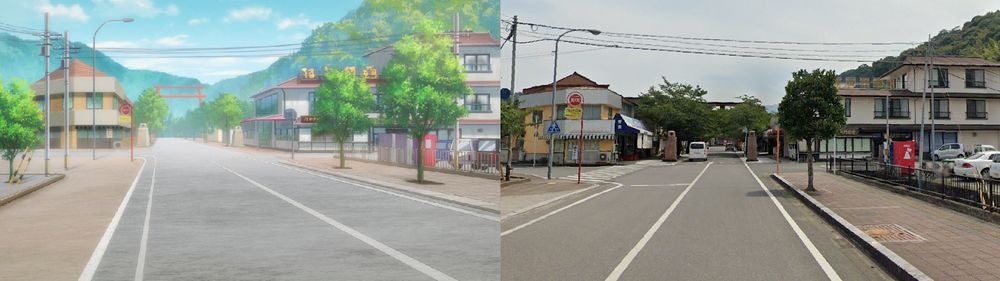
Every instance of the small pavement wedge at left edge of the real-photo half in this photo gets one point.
(522, 197)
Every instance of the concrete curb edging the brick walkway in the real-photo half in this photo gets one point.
(898, 267)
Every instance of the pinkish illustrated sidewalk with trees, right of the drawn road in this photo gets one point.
(474, 192)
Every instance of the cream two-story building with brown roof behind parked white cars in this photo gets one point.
(964, 90)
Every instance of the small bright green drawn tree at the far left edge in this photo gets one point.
(20, 120)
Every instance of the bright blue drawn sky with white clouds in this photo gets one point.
(182, 24)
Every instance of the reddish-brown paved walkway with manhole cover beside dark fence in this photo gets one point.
(946, 245)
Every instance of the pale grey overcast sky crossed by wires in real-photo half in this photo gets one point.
(631, 72)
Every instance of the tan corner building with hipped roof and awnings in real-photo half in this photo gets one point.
(603, 139)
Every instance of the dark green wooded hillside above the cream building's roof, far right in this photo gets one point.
(976, 38)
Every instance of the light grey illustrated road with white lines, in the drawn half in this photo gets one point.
(206, 213)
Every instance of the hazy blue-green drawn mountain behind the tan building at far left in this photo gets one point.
(21, 60)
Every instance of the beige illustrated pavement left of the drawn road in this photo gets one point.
(51, 233)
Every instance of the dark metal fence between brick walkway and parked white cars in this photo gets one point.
(972, 191)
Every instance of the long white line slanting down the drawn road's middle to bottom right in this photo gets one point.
(415, 264)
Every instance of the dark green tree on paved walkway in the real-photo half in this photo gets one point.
(811, 110)
